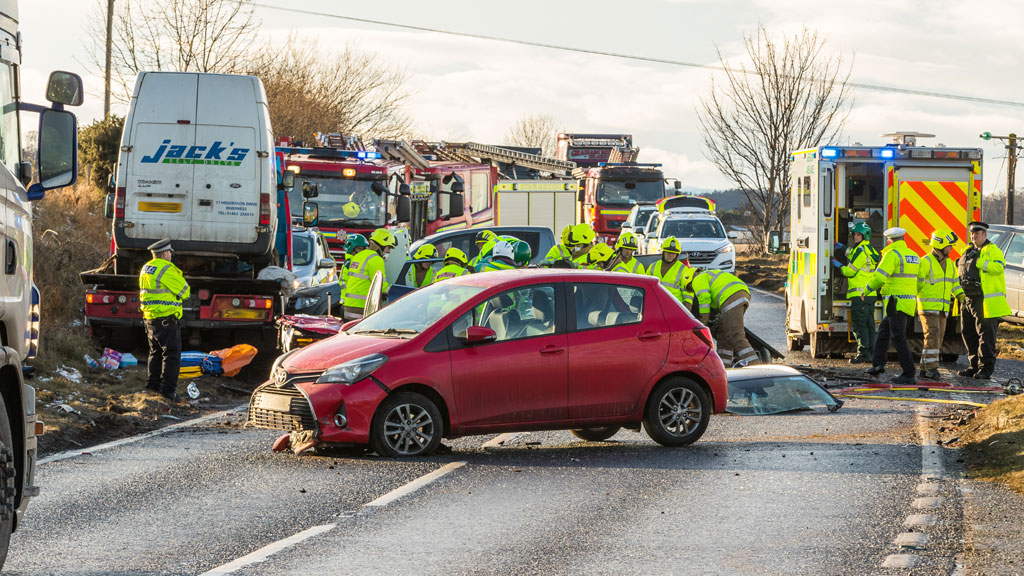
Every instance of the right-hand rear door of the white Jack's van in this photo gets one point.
(226, 207)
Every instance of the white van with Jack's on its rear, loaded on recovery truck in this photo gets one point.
(196, 167)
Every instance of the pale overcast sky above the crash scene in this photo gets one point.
(474, 90)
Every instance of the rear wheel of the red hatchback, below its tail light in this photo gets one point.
(674, 399)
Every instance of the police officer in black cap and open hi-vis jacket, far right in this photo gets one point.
(985, 284)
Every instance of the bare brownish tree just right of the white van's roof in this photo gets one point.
(351, 92)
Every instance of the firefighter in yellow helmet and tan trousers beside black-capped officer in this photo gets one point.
(937, 286)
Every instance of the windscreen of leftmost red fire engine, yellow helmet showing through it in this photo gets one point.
(342, 202)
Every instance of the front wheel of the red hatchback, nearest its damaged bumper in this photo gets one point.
(407, 425)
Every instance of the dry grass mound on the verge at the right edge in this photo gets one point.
(995, 449)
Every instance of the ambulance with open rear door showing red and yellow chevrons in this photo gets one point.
(903, 184)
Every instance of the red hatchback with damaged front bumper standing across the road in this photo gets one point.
(530, 350)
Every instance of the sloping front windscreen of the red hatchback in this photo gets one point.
(418, 311)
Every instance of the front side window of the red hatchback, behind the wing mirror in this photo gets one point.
(522, 313)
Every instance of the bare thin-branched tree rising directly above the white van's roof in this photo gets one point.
(175, 35)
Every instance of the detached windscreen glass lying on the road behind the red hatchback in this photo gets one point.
(776, 395)
